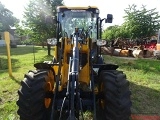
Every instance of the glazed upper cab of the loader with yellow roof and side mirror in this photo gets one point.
(85, 19)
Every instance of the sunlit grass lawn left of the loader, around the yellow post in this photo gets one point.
(22, 60)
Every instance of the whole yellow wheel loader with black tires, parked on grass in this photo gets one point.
(77, 79)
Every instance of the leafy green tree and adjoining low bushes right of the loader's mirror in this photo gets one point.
(140, 24)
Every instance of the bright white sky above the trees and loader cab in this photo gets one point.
(115, 7)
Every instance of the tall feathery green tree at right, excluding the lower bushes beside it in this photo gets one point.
(141, 23)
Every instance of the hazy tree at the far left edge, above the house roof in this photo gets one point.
(7, 20)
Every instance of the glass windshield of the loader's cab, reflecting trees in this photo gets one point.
(81, 19)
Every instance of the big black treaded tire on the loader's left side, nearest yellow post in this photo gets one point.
(32, 96)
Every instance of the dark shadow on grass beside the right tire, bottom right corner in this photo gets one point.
(145, 100)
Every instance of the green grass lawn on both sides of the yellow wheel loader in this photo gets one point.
(143, 75)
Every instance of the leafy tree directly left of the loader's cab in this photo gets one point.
(36, 19)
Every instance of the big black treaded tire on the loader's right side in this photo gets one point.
(115, 89)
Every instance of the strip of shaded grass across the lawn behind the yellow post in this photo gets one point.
(20, 50)
